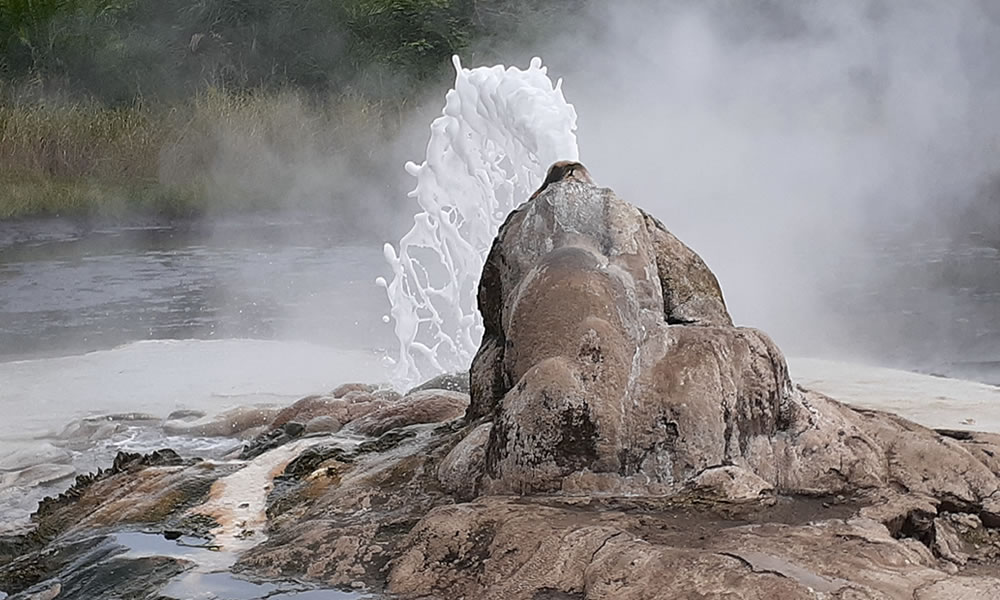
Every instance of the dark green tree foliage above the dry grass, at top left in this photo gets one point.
(120, 50)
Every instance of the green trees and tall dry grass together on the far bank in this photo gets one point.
(179, 107)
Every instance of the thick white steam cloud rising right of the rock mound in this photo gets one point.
(813, 153)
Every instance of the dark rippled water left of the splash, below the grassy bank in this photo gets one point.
(64, 290)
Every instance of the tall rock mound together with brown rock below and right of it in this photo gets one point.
(610, 368)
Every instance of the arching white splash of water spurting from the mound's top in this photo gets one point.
(499, 131)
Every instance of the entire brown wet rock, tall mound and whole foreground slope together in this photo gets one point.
(619, 439)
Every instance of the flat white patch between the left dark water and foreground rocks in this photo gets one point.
(157, 377)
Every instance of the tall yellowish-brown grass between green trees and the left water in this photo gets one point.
(217, 152)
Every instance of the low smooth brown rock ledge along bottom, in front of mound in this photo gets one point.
(507, 548)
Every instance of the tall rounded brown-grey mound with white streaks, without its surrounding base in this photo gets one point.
(610, 364)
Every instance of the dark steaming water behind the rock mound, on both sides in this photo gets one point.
(931, 305)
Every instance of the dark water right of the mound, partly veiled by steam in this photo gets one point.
(931, 304)
